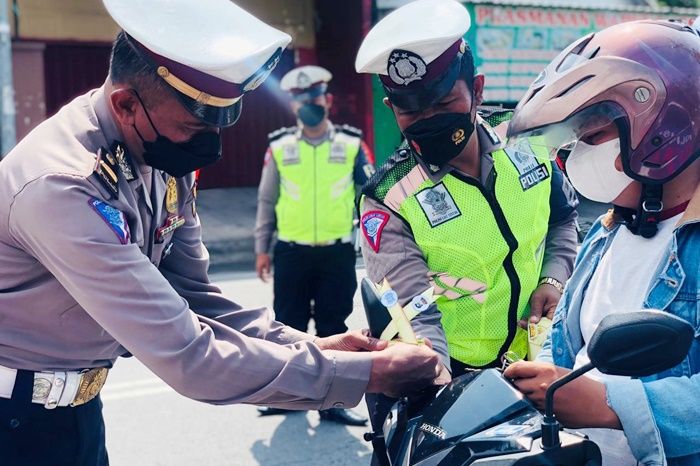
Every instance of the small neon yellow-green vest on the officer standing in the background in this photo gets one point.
(317, 190)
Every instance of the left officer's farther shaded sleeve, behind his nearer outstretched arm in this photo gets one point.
(185, 268)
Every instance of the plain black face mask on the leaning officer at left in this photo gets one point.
(179, 159)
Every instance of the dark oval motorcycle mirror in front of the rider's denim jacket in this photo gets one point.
(637, 344)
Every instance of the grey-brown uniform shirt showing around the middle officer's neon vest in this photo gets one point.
(402, 263)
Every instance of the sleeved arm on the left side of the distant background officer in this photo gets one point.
(268, 194)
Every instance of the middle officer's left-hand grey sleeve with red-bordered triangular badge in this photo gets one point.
(390, 252)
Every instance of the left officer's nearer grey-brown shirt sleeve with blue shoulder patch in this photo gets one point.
(125, 295)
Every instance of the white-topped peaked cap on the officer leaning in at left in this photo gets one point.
(210, 51)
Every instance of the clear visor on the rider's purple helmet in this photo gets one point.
(547, 141)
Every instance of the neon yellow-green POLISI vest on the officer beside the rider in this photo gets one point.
(483, 247)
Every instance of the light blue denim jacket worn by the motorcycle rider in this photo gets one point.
(660, 414)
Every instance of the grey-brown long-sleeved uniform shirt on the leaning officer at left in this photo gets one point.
(77, 291)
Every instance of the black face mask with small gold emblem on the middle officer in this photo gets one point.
(440, 138)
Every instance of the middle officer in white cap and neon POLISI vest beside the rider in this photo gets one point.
(492, 230)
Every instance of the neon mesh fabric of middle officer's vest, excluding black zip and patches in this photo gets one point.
(473, 247)
